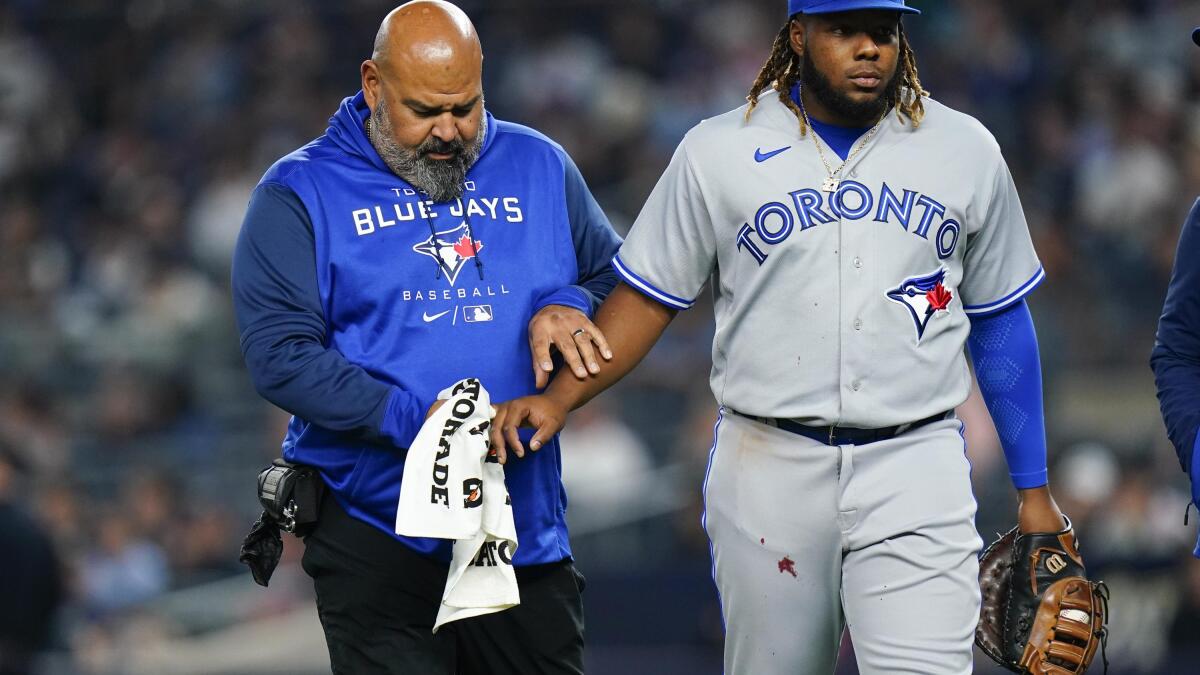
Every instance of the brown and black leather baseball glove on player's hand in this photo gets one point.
(1041, 613)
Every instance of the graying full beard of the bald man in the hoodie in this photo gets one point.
(442, 181)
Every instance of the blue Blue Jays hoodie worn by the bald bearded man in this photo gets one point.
(358, 301)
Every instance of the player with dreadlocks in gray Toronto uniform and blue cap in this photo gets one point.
(859, 236)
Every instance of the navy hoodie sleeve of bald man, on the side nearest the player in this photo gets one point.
(596, 244)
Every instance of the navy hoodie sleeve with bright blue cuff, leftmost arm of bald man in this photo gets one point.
(283, 328)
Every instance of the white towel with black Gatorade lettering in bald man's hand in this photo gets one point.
(454, 489)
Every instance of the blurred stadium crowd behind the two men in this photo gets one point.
(133, 133)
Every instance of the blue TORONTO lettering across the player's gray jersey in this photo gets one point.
(776, 222)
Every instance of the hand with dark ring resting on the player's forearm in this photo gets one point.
(573, 334)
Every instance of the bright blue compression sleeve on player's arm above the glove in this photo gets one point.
(1005, 353)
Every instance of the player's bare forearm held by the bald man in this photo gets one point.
(633, 324)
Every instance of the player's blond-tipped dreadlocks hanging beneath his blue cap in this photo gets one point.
(784, 67)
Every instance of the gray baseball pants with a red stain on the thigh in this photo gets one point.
(809, 540)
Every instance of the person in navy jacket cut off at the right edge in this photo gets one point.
(1177, 356)
